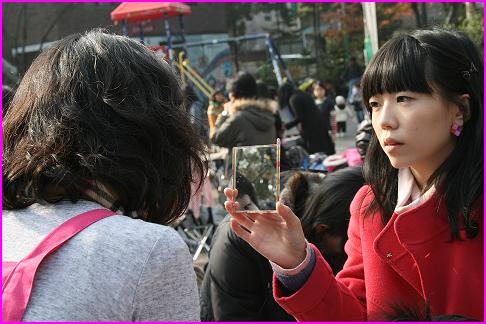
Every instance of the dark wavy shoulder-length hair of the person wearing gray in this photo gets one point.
(101, 107)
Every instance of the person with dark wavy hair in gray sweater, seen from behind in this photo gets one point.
(97, 127)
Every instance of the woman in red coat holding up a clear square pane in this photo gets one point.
(416, 230)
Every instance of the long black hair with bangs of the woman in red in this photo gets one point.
(432, 61)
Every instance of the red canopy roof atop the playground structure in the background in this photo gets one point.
(141, 11)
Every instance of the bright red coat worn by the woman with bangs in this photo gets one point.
(408, 260)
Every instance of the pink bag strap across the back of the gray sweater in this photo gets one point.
(17, 287)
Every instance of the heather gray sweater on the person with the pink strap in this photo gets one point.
(118, 269)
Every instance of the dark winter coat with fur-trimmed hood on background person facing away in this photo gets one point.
(249, 122)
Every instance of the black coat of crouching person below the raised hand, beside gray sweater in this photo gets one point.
(237, 285)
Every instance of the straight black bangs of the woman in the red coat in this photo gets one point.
(399, 65)
